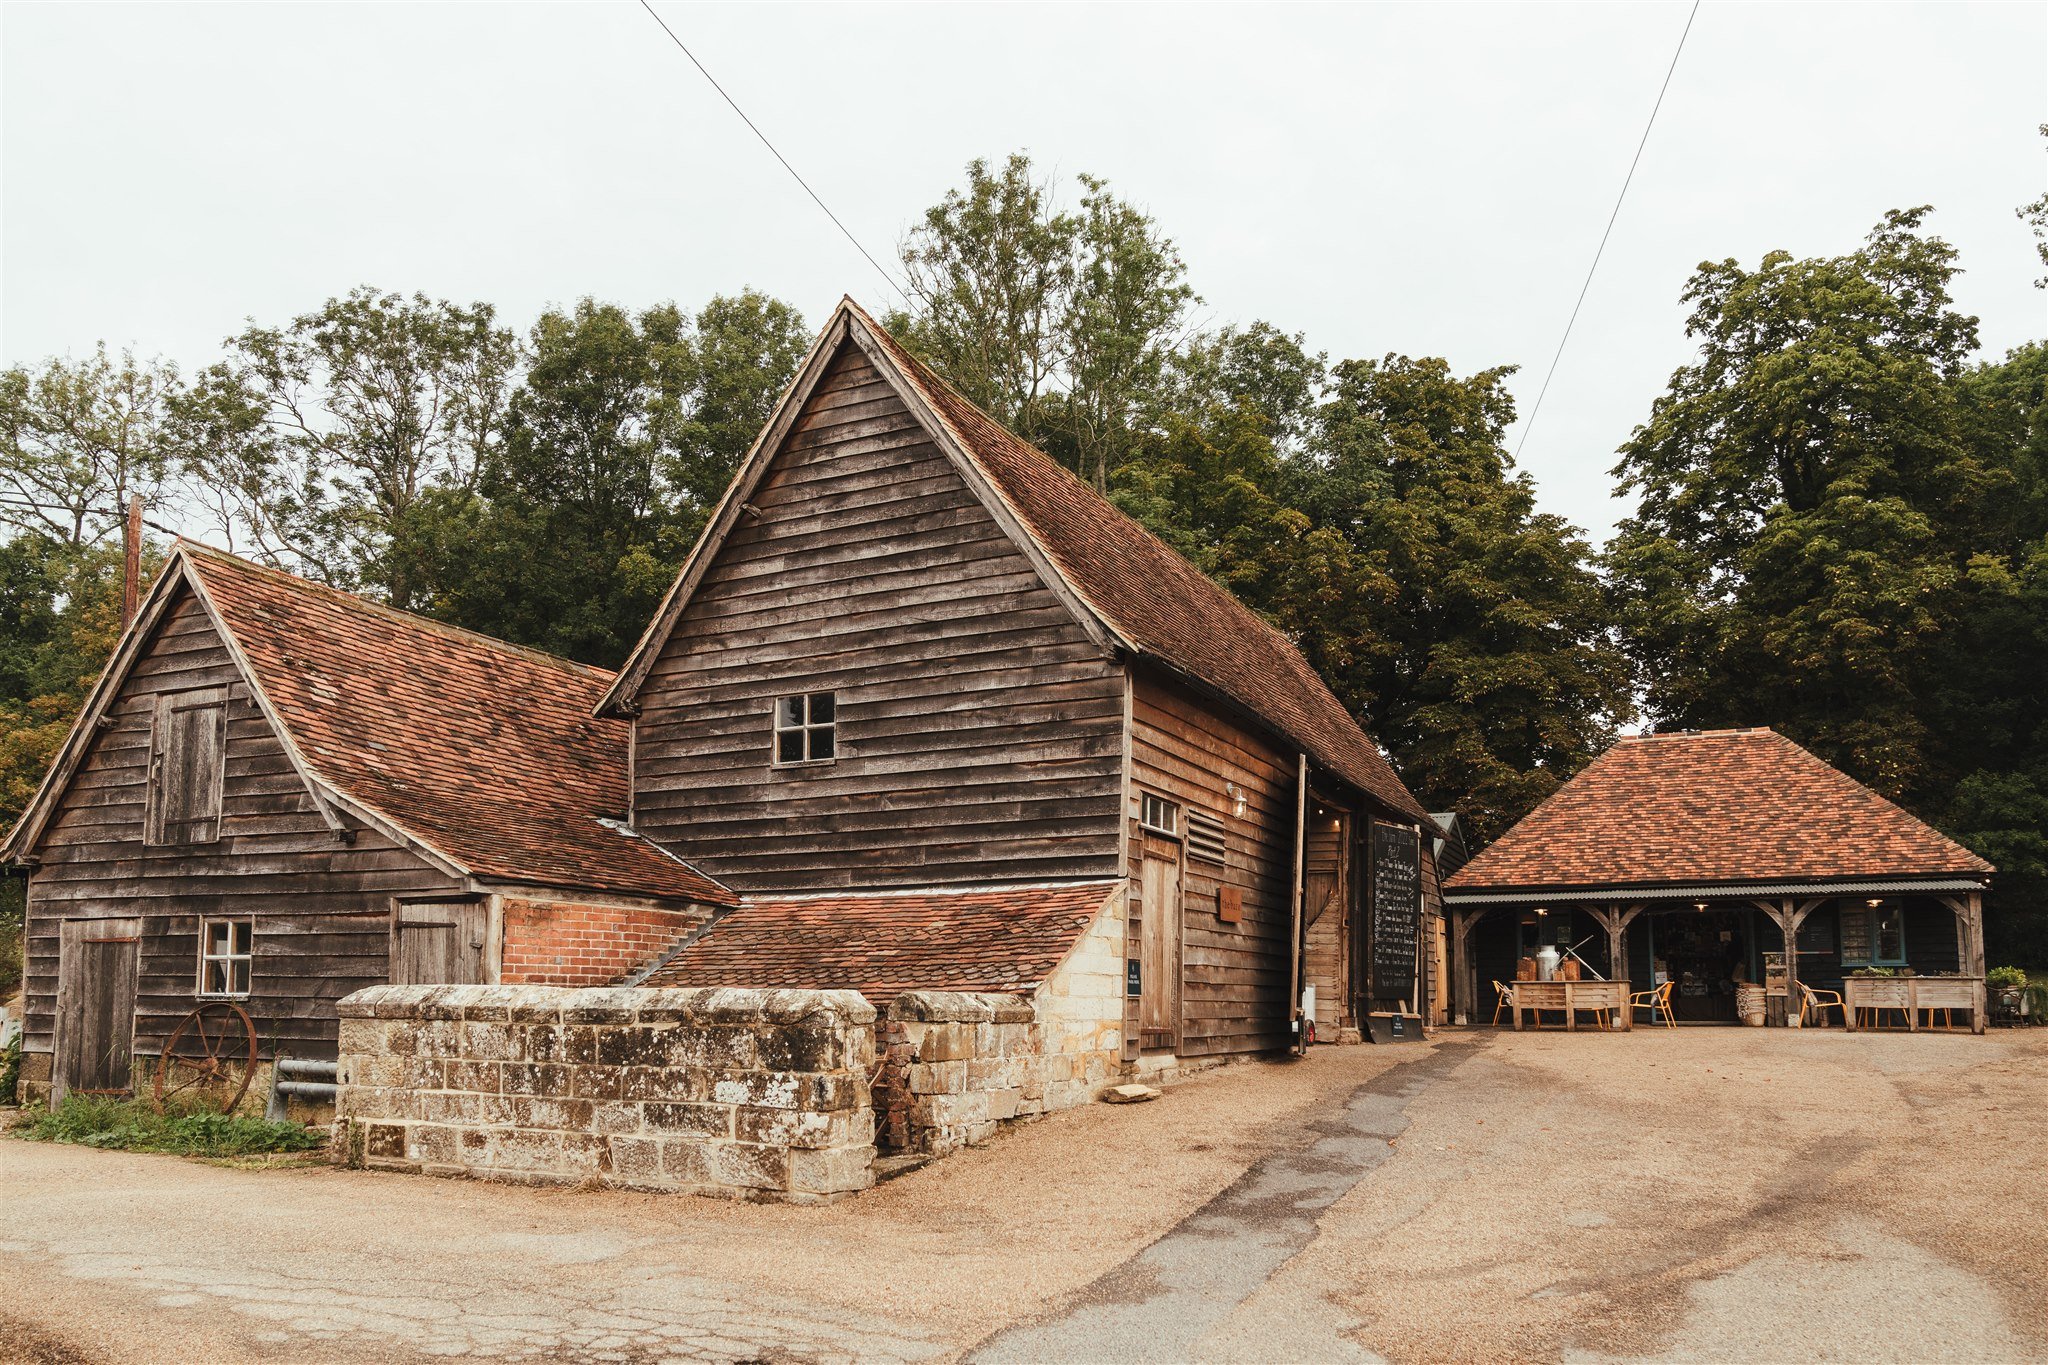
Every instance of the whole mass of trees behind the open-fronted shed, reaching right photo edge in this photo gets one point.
(1844, 535)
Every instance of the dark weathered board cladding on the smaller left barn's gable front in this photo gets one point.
(321, 908)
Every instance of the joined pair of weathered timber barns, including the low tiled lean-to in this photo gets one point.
(923, 707)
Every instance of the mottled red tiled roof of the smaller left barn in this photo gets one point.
(480, 750)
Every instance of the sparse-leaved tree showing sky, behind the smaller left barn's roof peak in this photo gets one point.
(329, 445)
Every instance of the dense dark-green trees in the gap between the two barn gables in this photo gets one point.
(620, 441)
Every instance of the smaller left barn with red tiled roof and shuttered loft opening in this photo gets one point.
(280, 795)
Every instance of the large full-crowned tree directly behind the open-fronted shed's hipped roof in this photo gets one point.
(1793, 554)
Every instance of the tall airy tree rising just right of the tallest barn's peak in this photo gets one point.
(1062, 324)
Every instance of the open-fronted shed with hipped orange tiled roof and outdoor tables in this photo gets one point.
(1727, 867)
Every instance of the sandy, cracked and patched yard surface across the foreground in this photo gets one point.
(1689, 1196)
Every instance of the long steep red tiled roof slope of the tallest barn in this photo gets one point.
(1156, 599)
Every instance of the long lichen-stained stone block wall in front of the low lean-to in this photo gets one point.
(724, 1092)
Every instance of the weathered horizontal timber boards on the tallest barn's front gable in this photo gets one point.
(980, 728)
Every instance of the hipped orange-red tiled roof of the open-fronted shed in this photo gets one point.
(1713, 807)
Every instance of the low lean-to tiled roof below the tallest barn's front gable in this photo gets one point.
(892, 942)
